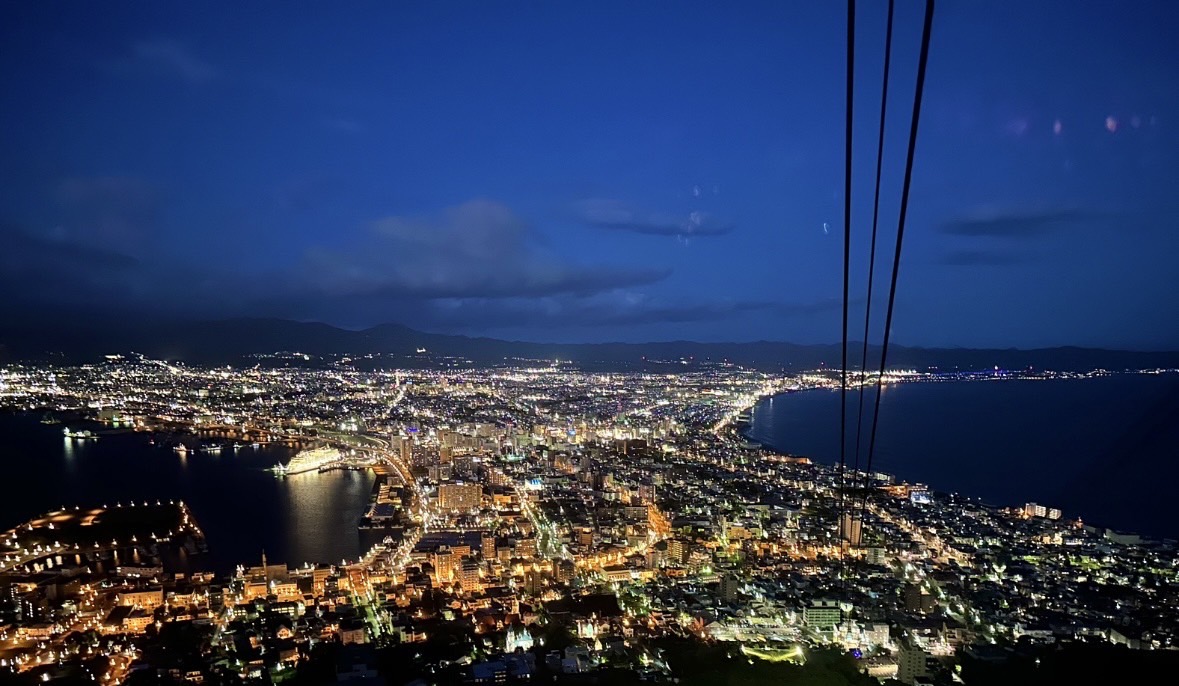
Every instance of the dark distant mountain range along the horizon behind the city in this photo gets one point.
(230, 341)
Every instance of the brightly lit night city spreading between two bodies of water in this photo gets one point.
(538, 519)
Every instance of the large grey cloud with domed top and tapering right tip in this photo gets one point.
(479, 249)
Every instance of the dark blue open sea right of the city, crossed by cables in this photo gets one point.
(1105, 450)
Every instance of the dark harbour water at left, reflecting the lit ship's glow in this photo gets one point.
(242, 509)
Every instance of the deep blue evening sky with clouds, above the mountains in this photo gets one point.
(591, 171)
